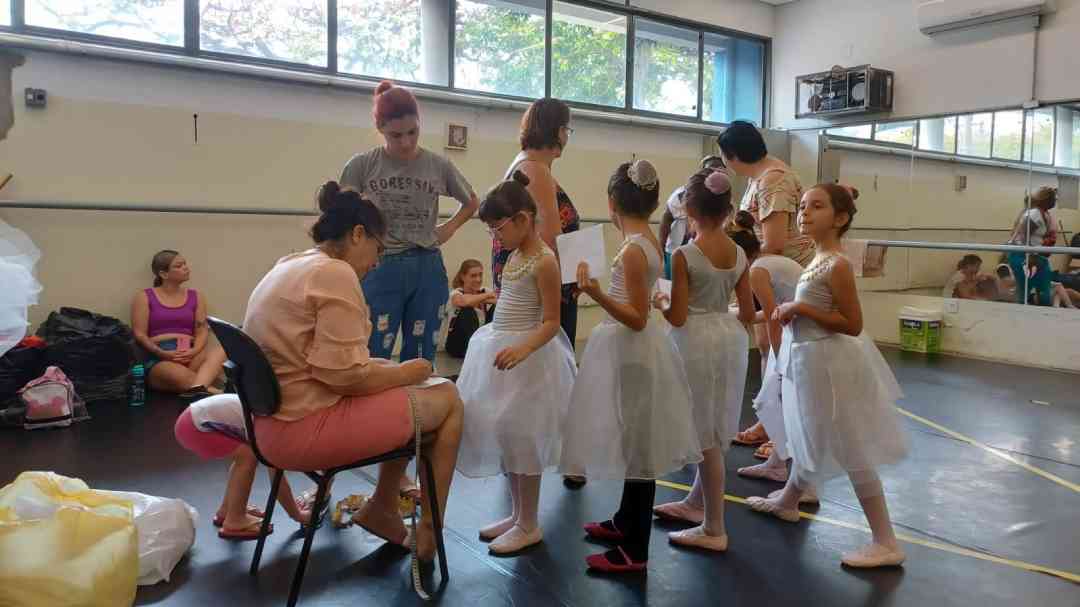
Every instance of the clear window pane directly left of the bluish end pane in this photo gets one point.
(666, 69)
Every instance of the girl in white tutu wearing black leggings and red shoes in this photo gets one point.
(630, 414)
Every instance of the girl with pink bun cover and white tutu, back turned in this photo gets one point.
(712, 342)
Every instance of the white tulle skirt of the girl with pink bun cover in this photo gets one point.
(715, 350)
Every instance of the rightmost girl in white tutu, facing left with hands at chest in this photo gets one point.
(839, 393)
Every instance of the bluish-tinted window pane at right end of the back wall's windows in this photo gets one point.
(734, 79)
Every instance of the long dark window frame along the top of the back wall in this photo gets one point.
(192, 48)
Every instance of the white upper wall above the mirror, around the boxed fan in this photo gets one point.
(953, 73)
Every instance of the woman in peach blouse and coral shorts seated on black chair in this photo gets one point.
(339, 404)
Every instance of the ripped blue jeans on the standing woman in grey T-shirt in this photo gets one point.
(408, 292)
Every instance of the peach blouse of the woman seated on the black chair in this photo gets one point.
(309, 317)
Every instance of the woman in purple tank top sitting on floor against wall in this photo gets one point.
(170, 326)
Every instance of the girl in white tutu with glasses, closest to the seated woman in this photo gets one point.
(519, 371)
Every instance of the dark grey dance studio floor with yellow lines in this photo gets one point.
(948, 492)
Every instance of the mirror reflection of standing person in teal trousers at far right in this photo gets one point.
(1034, 228)
